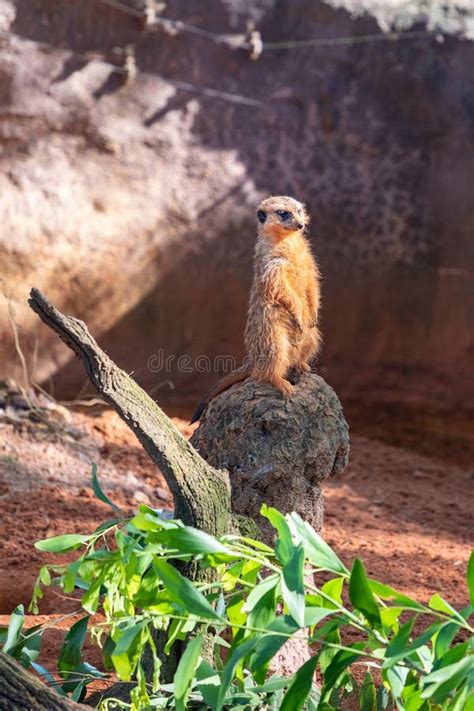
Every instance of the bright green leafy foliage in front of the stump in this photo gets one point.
(249, 599)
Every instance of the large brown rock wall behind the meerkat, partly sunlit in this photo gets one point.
(132, 204)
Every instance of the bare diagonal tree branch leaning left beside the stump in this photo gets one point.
(201, 493)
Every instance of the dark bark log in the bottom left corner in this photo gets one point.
(21, 691)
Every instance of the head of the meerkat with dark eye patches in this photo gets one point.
(279, 216)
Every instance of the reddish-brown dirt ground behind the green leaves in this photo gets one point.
(403, 505)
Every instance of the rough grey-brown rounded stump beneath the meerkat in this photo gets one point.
(276, 451)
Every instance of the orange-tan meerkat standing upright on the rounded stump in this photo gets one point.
(282, 323)
